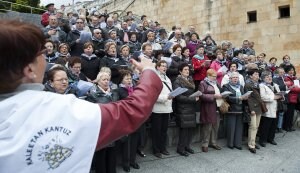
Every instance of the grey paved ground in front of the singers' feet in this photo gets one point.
(285, 157)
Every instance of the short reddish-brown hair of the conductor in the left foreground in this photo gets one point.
(20, 44)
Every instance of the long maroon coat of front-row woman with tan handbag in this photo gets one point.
(208, 105)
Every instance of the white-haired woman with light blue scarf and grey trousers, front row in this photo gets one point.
(234, 117)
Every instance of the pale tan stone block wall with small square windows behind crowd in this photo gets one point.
(228, 20)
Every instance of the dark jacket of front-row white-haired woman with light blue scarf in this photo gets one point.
(236, 105)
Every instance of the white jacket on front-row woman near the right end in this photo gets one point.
(267, 96)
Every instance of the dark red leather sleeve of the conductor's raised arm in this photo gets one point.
(125, 116)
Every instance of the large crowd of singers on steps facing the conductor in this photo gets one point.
(97, 48)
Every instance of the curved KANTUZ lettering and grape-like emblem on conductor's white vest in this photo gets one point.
(52, 151)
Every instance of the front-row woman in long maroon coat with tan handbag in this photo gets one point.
(211, 99)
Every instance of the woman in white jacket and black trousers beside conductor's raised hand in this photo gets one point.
(161, 112)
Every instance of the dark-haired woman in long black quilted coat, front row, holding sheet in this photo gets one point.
(185, 110)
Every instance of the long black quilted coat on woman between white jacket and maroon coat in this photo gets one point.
(185, 108)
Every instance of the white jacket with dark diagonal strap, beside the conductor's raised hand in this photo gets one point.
(163, 104)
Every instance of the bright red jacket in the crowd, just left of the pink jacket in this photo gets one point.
(199, 68)
